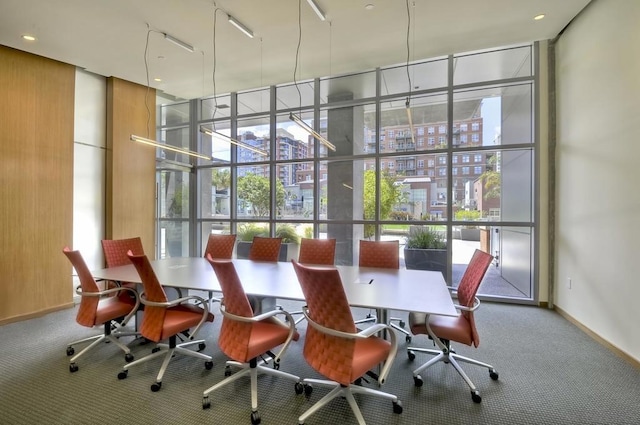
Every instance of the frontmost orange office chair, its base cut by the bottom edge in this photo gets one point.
(334, 347)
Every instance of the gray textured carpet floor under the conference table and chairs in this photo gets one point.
(550, 373)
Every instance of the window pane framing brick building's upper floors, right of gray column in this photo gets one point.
(429, 119)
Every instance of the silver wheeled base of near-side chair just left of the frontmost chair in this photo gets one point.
(253, 368)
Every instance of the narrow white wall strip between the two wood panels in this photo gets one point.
(89, 166)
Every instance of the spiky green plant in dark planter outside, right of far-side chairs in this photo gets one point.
(426, 249)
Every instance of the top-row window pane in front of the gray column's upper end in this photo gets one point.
(348, 87)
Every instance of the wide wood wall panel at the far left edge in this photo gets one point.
(36, 190)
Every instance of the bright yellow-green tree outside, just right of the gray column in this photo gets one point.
(390, 194)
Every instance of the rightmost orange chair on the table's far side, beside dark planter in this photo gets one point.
(386, 255)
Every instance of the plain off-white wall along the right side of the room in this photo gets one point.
(598, 167)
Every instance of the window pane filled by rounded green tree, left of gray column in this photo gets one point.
(254, 191)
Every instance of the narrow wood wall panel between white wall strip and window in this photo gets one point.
(130, 165)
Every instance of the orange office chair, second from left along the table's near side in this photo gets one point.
(164, 319)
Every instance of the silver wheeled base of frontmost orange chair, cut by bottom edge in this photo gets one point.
(347, 392)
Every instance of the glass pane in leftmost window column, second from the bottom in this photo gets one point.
(174, 194)
